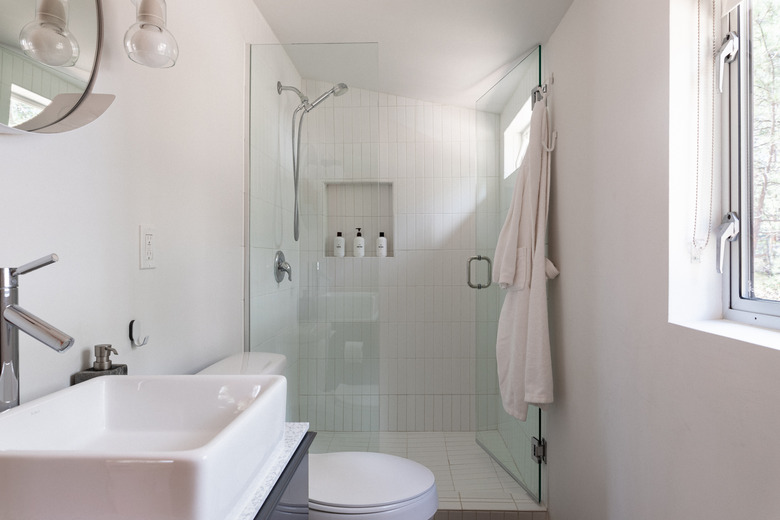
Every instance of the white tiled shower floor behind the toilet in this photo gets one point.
(466, 477)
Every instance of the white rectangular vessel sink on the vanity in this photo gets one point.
(139, 447)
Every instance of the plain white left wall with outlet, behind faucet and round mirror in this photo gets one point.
(169, 153)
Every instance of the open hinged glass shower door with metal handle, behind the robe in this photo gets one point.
(503, 117)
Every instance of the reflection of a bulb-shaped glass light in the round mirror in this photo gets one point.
(47, 38)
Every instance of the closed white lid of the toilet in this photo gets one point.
(365, 479)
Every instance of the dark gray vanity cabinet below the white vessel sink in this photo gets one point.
(289, 498)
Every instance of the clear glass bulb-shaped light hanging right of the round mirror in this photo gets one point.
(147, 41)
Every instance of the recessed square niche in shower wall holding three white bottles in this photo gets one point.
(367, 205)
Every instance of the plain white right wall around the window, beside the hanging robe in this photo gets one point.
(651, 420)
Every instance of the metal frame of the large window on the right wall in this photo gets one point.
(737, 128)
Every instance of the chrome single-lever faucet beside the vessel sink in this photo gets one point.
(14, 318)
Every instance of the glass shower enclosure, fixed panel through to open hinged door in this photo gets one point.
(362, 354)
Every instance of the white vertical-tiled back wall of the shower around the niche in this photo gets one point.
(425, 327)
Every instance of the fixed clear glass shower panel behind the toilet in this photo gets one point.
(325, 317)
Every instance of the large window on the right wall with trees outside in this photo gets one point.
(751, 117)
